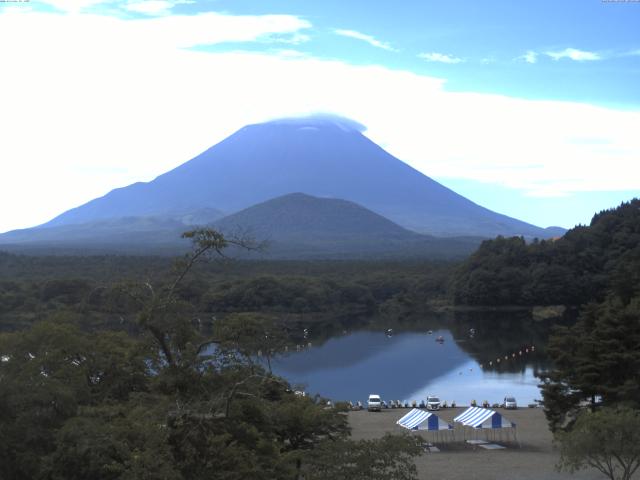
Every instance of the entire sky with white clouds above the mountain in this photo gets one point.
(531, 109)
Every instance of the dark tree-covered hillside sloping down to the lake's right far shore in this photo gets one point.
(581, 266)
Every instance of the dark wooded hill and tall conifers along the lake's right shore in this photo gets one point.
(595, 361)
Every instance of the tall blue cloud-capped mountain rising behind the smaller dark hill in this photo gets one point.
(324, 157)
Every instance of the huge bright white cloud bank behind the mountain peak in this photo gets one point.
(130, 102)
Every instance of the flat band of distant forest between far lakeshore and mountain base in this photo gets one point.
(95, 288)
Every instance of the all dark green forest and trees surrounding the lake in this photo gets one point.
(106, 371)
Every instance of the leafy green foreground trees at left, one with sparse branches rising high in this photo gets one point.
(174, 401)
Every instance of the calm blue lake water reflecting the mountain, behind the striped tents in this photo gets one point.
(410, 366)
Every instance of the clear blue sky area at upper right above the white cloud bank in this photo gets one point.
(488, 37)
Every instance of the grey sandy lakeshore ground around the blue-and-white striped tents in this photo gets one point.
(534, 458)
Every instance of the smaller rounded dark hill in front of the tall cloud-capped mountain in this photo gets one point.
(299, 225)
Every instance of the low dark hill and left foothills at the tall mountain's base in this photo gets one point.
(294, 226)
